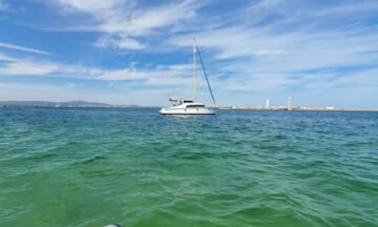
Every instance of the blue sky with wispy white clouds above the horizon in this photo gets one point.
(320, 52)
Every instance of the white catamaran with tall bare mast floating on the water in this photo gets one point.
(191, 106)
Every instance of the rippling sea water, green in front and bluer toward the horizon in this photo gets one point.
(91, 167)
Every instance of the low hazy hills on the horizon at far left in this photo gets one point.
(57, 104)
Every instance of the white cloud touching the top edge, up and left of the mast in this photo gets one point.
(124, 21)
